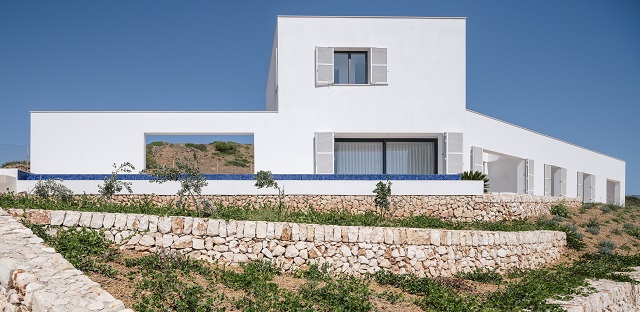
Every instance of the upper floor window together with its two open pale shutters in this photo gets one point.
(350, 66)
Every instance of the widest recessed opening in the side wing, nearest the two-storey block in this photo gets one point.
(506, 173)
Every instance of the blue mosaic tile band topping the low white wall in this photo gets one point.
(340, 177)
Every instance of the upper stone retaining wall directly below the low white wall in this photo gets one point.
(489, 207)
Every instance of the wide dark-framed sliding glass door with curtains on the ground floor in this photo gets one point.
(390, 156)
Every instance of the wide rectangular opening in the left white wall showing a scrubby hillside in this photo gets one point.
(212, 154)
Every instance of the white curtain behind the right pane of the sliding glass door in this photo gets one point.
(410, 158)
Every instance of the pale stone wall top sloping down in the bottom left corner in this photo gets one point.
(34, 277)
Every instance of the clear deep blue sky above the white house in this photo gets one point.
(569, 69)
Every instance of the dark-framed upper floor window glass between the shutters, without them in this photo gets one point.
(350, 68)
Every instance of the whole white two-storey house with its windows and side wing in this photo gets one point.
(351, 95)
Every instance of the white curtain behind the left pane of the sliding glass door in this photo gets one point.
(358, 157)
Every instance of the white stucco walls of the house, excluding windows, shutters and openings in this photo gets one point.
(425, 97)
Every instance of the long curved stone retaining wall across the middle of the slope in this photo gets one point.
(350, 249)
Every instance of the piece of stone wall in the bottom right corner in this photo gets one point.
(608, 296)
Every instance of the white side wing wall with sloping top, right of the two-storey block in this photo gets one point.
(498, 136)
